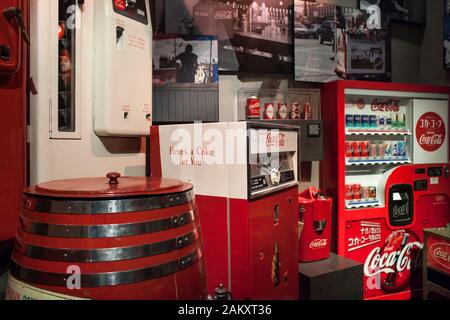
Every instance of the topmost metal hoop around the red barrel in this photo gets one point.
(105, 206)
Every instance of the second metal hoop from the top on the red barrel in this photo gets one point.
(106, 231)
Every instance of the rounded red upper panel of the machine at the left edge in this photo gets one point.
(12, 26)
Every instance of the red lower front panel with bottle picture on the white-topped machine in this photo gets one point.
(274, 247)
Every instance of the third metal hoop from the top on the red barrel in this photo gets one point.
(107, 255)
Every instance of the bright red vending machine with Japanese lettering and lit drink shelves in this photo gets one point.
(387, 168)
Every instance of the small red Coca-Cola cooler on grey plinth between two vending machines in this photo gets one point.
(315, 215)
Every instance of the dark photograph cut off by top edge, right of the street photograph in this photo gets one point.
(413, 11)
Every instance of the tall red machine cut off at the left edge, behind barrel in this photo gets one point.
(14, 42)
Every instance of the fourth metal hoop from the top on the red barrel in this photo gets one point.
(105, 279)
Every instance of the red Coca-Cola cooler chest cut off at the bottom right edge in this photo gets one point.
(436, 268)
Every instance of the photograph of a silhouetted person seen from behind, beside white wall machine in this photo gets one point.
(191, 60)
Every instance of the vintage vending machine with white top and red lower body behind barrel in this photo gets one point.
(245, 176)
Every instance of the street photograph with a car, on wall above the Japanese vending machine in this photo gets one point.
(334, 42)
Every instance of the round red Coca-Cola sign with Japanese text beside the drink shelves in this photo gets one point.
(430, 131)
